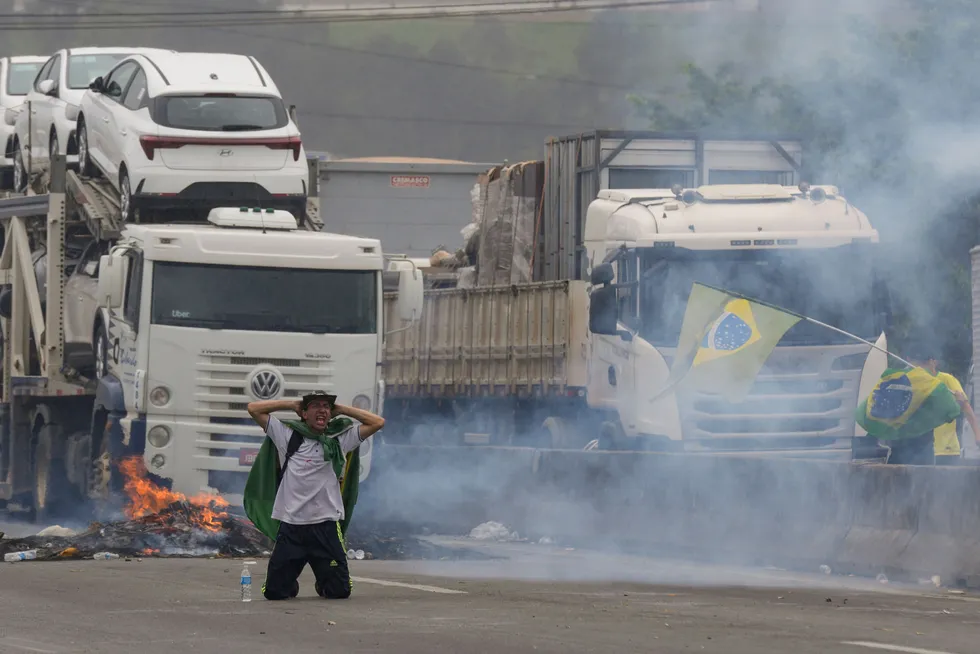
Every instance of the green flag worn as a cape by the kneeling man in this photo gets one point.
(261, 487)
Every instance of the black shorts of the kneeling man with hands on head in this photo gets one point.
(321, 546)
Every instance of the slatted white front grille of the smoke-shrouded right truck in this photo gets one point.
(800, 399)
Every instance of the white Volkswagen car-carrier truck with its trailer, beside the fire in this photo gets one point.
(154, 339)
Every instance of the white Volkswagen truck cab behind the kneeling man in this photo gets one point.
(203, 319)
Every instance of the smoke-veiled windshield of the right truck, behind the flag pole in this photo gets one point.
(833, 285)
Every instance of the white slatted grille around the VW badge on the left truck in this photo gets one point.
(220, 381)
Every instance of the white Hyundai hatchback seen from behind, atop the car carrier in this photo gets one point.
(192, 131)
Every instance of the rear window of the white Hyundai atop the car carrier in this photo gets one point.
(221, 113)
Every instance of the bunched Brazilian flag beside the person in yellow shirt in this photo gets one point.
(905, 404)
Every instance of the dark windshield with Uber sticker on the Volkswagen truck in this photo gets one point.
(256, 298)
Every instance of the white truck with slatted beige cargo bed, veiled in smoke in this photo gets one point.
(540, 364)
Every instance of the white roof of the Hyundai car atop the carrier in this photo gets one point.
(194, 71)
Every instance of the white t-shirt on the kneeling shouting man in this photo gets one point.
(309, 492)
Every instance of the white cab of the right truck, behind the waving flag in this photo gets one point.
(803, 248)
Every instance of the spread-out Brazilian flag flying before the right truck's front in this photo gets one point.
(724, 342)
